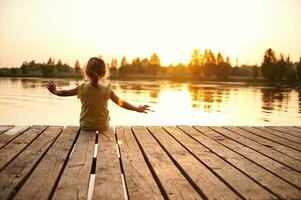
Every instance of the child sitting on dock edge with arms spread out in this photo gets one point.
(94, 97)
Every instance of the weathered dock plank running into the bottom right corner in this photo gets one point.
(269, 181)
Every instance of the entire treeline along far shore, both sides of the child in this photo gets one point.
(204, 65)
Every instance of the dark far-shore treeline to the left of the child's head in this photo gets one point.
(49, 69)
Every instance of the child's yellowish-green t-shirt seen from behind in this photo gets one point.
(94, 110)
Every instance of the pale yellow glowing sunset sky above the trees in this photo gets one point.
(74, 29)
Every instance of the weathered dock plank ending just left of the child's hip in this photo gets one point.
(43, 179)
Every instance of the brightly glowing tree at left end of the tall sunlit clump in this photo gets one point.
(195, 63)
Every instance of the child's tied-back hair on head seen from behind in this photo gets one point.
(95, 68)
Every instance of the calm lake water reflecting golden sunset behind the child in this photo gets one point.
(27, 102)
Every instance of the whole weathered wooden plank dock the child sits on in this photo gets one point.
(179, 162)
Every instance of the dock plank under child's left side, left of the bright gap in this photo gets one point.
(75, 178)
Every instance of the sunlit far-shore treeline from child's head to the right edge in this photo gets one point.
(210, 66)
